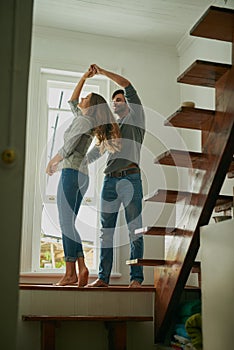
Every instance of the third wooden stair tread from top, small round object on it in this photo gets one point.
(191, 118)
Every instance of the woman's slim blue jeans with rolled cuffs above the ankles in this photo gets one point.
(71, 189)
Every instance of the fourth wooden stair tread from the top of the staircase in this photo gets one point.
(188, 159)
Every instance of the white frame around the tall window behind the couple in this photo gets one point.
(36, 138)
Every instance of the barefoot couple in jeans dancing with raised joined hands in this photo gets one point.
(122, 140)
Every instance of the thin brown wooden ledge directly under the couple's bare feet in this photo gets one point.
(111, 288)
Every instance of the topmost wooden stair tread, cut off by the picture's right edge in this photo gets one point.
(216, 23)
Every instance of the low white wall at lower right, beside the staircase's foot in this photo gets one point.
(217, 242)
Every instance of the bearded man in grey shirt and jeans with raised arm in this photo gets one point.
(122, 183)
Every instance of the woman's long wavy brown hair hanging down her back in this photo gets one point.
(106, 129)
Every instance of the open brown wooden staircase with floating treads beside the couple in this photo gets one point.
(208, 170)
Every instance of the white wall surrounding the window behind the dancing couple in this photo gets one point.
(153, 71)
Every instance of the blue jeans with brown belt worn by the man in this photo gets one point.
(126, 190)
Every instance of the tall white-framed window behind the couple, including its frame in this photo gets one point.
(46, 126)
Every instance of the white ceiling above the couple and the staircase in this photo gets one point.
(161, 21)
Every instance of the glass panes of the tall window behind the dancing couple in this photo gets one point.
(59, 118)
